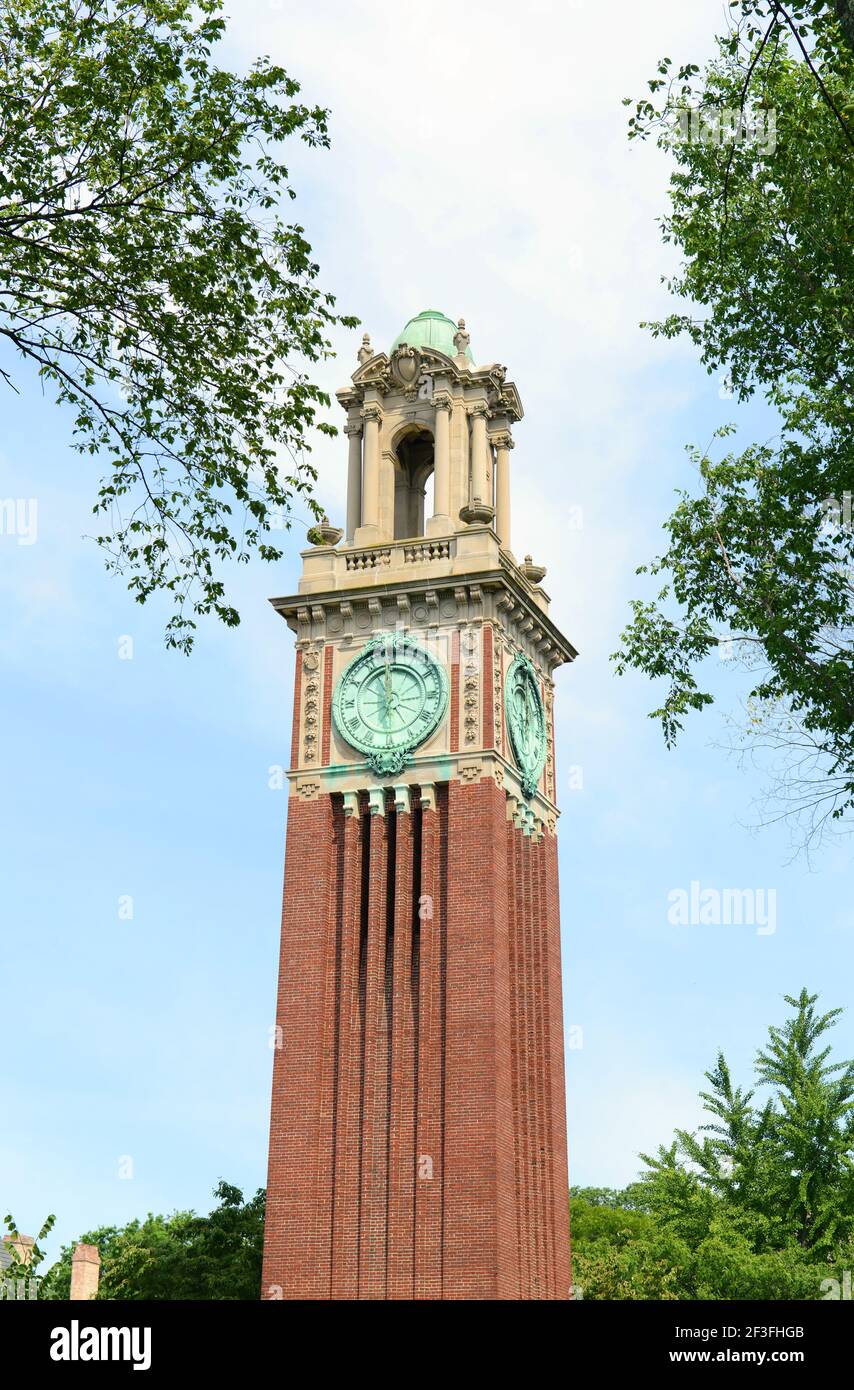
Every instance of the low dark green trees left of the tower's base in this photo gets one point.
(179, 1257)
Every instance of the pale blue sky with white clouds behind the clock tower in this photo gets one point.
(479, 166)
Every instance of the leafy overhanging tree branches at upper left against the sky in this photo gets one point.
(150, 277)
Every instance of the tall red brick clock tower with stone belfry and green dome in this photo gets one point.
(418, 1140)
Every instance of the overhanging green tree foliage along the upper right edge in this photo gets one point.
(762, 555)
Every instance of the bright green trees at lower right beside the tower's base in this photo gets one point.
(759, 1204)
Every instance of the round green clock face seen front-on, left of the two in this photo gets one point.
(390, 700)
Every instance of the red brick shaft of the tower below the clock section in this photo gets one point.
(418, 1143)
